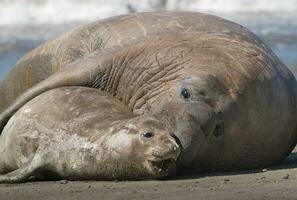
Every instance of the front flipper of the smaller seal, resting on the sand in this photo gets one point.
(23, 173)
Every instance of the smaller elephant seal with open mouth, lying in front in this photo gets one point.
(79, 133)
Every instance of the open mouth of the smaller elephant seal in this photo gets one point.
(163, 167)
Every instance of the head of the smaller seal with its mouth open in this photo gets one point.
(150, 148)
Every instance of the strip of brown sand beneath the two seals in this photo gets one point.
(278, 182)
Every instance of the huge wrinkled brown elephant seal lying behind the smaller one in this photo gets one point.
(220, 89)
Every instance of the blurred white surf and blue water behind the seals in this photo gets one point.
(24, 24)
